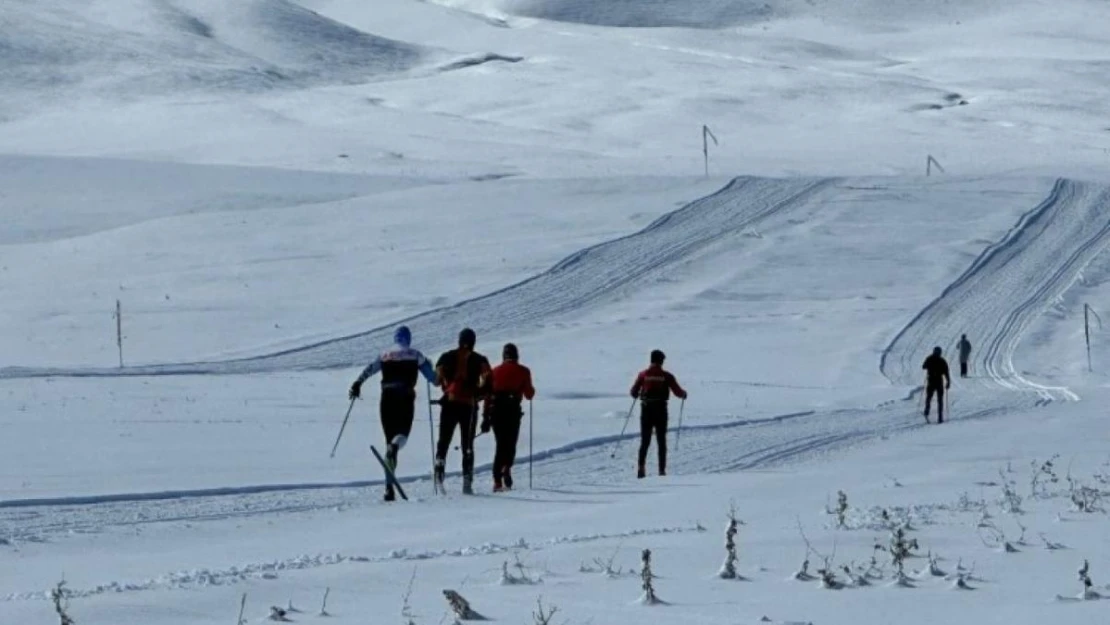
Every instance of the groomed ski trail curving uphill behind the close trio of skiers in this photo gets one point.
(586, 279)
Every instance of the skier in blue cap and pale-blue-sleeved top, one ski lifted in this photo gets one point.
(400, 368)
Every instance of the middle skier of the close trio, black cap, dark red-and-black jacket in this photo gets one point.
(463, 376)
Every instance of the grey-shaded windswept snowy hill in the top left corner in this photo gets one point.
(133, 48)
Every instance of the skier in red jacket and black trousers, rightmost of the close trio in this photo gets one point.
(511, 384)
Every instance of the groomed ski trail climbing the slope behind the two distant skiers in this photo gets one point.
(1006, 289)
